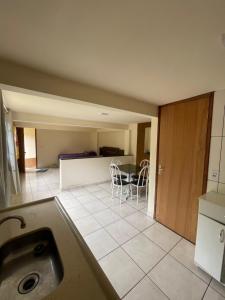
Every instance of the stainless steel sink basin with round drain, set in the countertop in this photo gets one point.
(30, 266)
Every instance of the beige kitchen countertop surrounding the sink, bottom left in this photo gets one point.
(83, 278)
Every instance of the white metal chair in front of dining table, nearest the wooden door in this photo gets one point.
(141, 182)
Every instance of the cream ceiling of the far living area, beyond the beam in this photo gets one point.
(32, 104)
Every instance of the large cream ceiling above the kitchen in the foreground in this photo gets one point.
(157, 51)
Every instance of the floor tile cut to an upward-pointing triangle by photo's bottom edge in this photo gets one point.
(144, 290)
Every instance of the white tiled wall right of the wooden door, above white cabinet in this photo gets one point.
(216, 174)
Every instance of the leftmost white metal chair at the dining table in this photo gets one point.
(118, 182)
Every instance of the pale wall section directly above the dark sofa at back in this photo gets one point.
(112, 139)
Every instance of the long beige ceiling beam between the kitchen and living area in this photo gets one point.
(19, 76)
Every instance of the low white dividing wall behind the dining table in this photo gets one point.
(76, 172)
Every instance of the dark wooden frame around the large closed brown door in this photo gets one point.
(207, 146)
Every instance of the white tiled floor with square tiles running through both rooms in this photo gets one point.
(142, 259)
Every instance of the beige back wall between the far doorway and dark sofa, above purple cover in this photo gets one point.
(50, 143)
